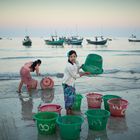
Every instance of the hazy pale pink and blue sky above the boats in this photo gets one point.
(85, 17)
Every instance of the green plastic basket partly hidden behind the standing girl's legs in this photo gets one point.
(77, 103)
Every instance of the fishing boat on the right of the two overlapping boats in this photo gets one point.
(74, 40)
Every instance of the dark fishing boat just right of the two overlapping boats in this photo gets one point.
(102, 41)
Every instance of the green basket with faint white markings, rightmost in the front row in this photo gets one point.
(97, 118)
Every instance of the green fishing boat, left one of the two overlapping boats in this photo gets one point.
(54, 41)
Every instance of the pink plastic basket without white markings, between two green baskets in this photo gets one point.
(94, 100)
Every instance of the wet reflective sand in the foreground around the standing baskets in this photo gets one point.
(16, 112)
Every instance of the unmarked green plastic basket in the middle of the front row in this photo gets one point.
(70, 127)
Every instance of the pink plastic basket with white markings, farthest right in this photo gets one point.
(118, 106)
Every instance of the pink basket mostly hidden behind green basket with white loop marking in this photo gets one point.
(50, 108)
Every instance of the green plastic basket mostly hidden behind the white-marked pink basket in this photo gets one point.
(106, 98)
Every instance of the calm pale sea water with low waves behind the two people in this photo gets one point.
(120, 63)
